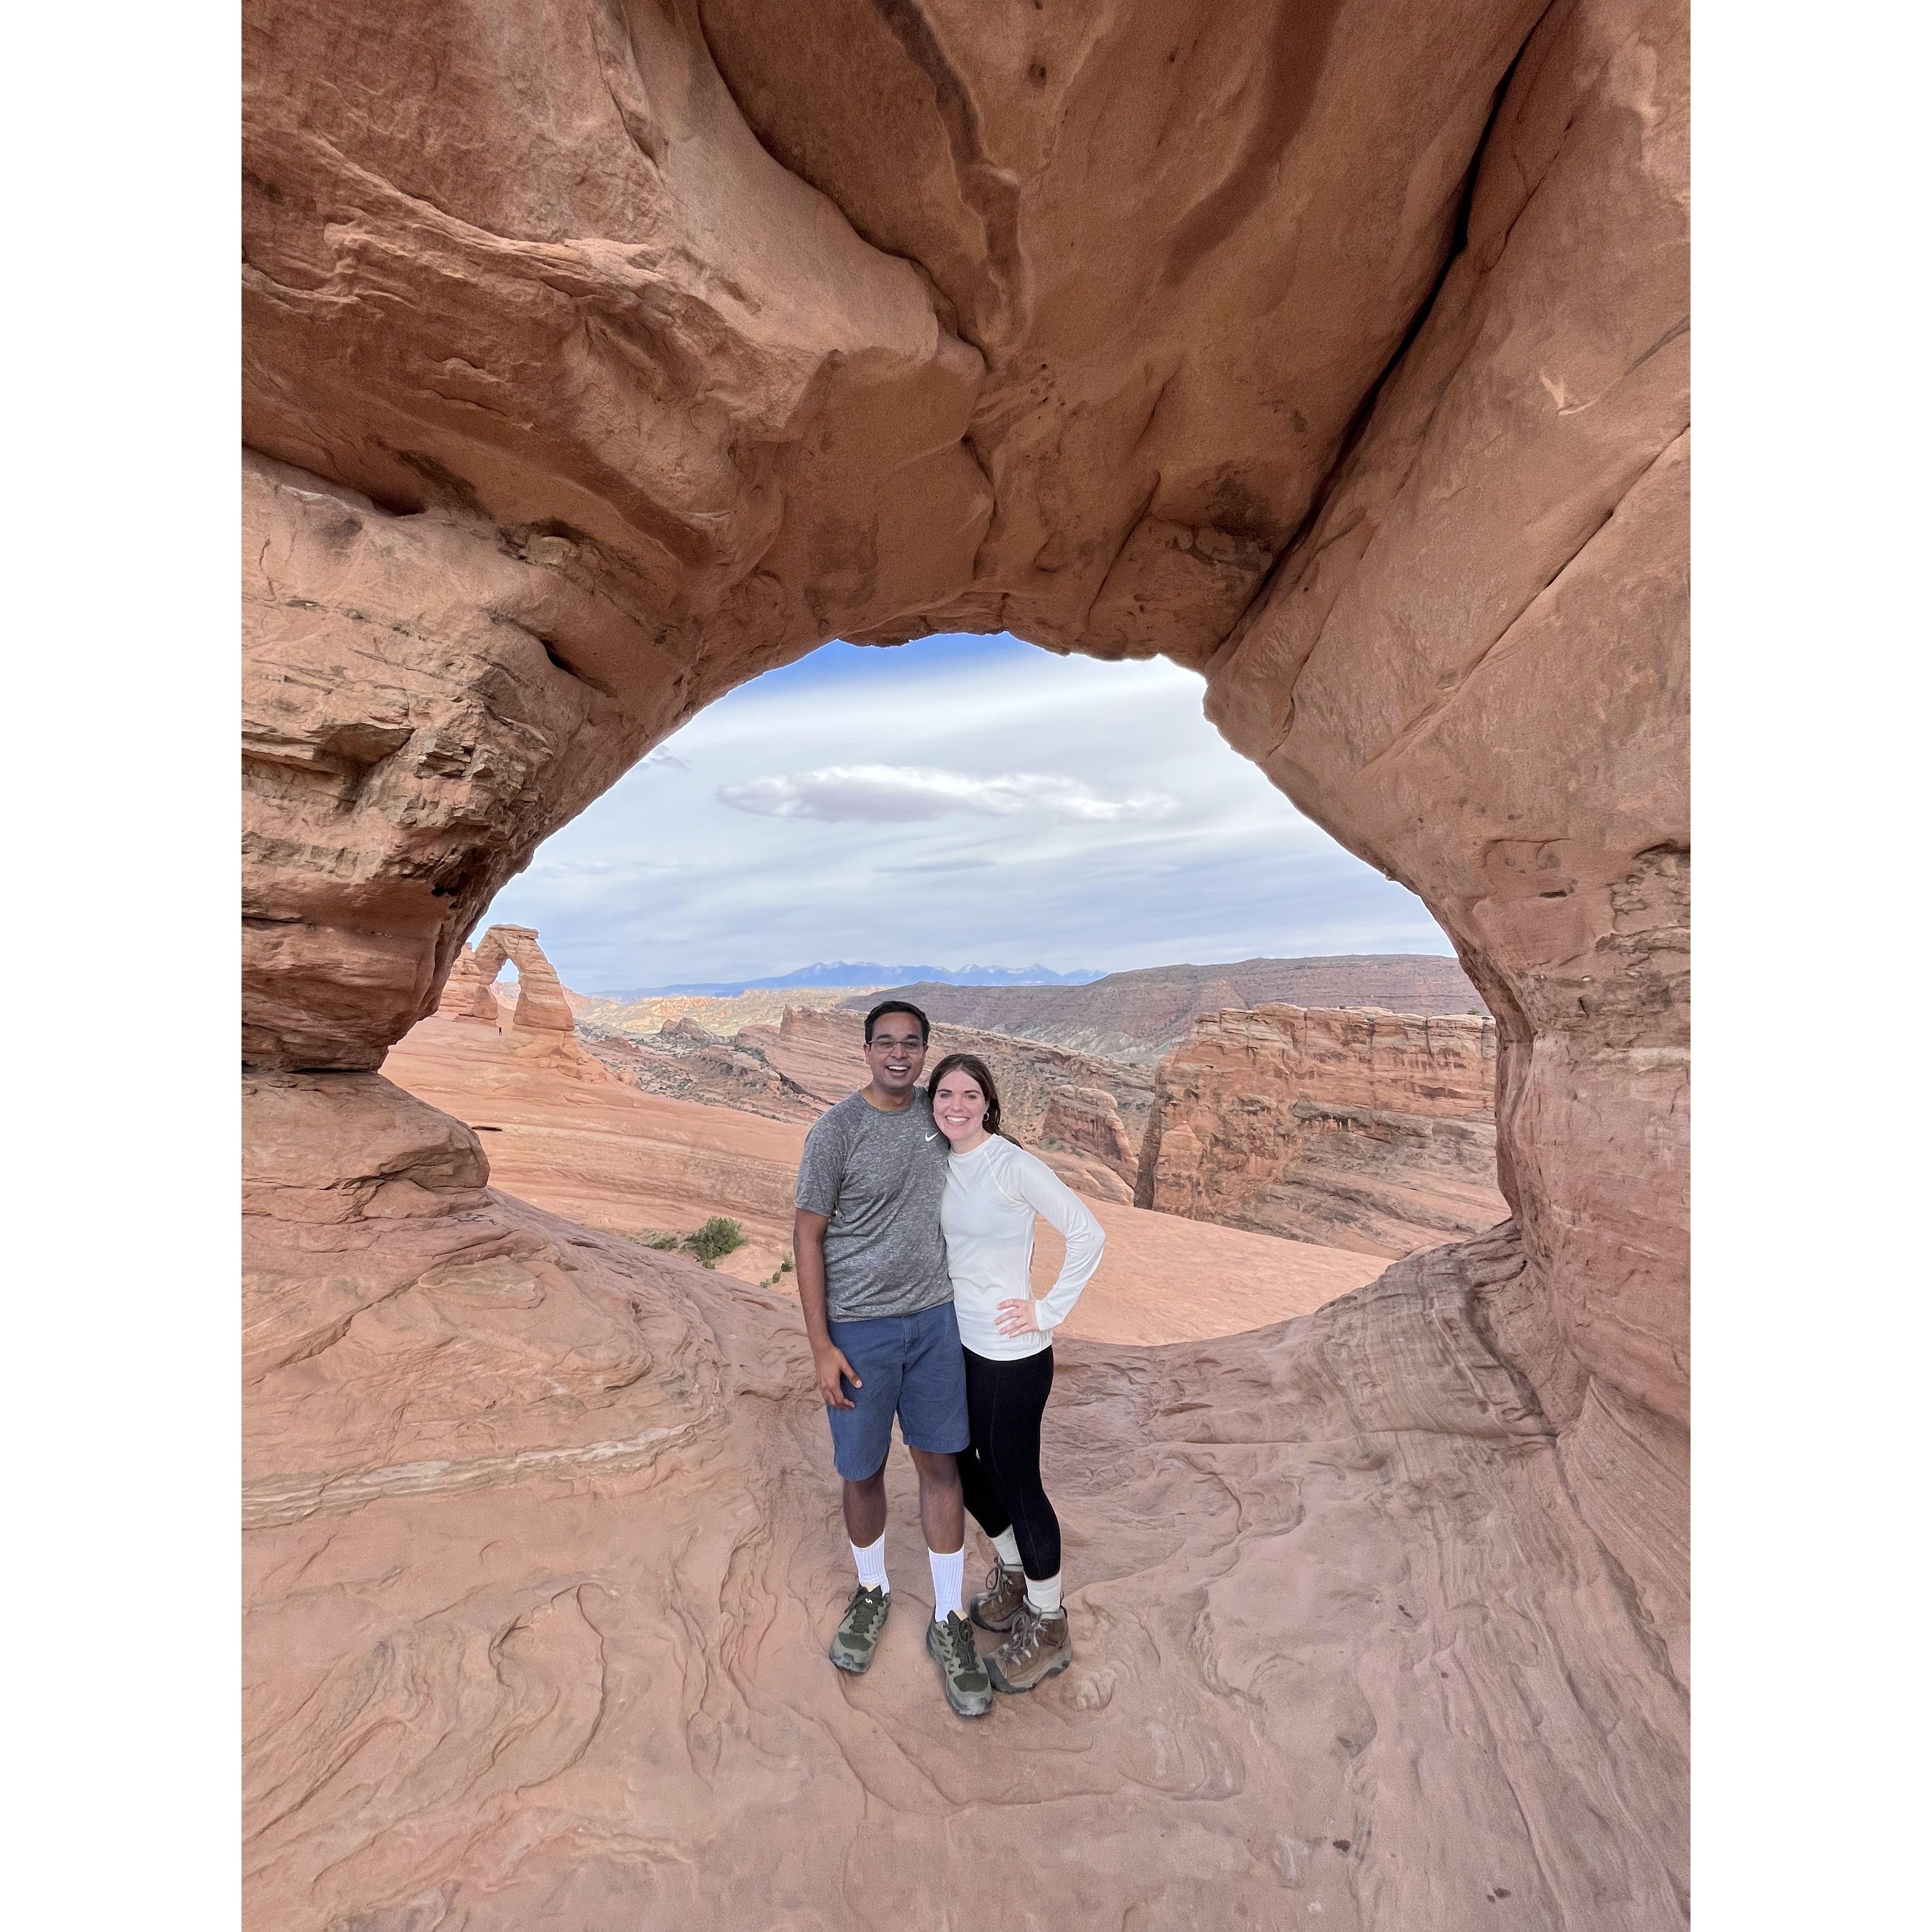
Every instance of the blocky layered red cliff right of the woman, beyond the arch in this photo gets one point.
(1371, 1131)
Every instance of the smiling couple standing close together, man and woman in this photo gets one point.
(915, 1241)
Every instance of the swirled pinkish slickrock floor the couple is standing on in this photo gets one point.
(546, 1550)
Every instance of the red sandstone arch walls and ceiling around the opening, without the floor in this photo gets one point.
(1342, 355)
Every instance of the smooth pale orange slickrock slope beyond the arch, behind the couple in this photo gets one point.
(590, 1149)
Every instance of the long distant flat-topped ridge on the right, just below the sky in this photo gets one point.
(1141, 1017)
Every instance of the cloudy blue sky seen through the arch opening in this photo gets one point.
(957, 801)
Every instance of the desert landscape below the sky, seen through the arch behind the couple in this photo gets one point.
(639, 1122)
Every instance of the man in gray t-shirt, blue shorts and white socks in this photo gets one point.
(872, 1278)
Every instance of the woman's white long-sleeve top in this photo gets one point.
(988, 1218)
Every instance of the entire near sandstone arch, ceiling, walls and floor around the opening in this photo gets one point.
(598, 360)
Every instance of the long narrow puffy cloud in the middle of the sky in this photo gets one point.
(903, 795)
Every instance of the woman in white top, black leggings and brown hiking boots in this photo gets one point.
(994, 1191)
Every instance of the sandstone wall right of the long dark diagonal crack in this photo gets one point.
(1473, 666)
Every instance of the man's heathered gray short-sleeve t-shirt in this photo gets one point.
(878, 1178)
